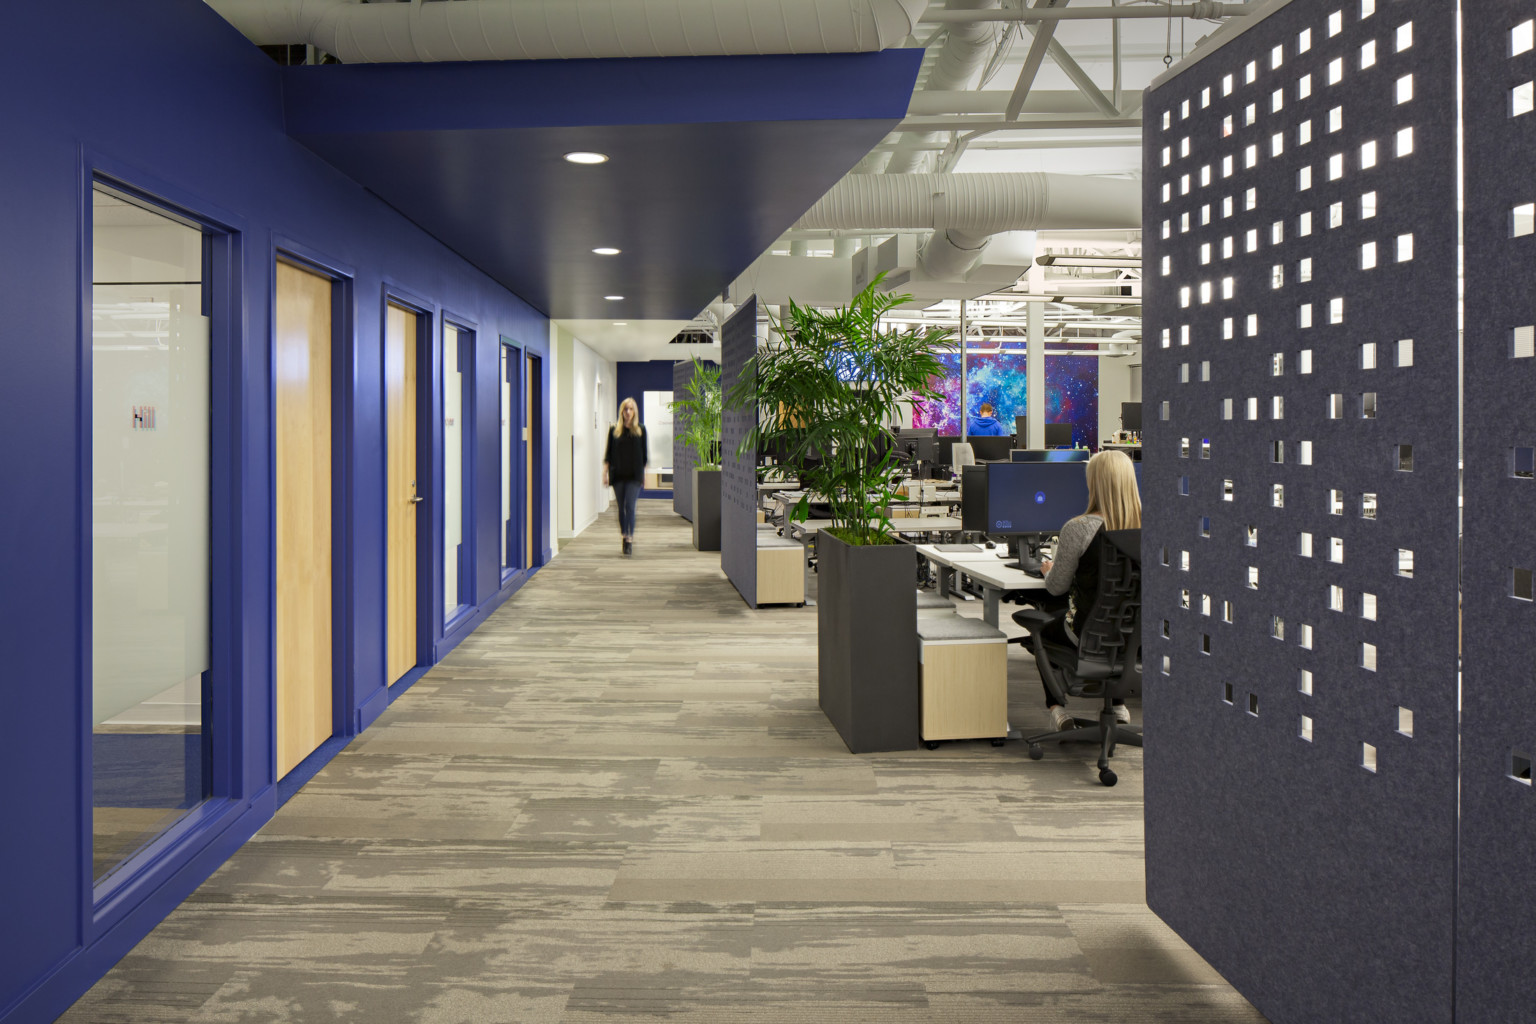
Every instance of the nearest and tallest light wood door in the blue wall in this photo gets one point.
(302, 411)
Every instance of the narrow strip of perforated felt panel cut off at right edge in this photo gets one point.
(1498, 841)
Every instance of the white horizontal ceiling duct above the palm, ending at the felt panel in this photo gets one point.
(965, 210)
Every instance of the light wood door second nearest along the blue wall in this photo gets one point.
(403, 494)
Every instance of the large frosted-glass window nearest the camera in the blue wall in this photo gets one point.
(150, 526)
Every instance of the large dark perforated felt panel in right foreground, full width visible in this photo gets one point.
(1300, 533)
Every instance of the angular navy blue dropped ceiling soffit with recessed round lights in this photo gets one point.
(710, 160)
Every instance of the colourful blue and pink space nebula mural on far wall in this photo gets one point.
(999, 382)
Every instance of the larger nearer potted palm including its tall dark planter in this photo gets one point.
(827, 388)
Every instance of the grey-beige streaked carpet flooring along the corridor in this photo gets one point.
(618, 801)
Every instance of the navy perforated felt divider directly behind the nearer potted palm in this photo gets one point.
(740, 472)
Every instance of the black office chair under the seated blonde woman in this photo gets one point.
(1107, 662)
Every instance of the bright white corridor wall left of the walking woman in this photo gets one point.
(588, 388)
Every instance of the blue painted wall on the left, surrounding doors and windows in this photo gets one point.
(171, 101)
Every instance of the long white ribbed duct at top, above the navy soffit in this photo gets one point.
(554, 30)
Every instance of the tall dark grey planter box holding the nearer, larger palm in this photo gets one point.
(867, 644)
